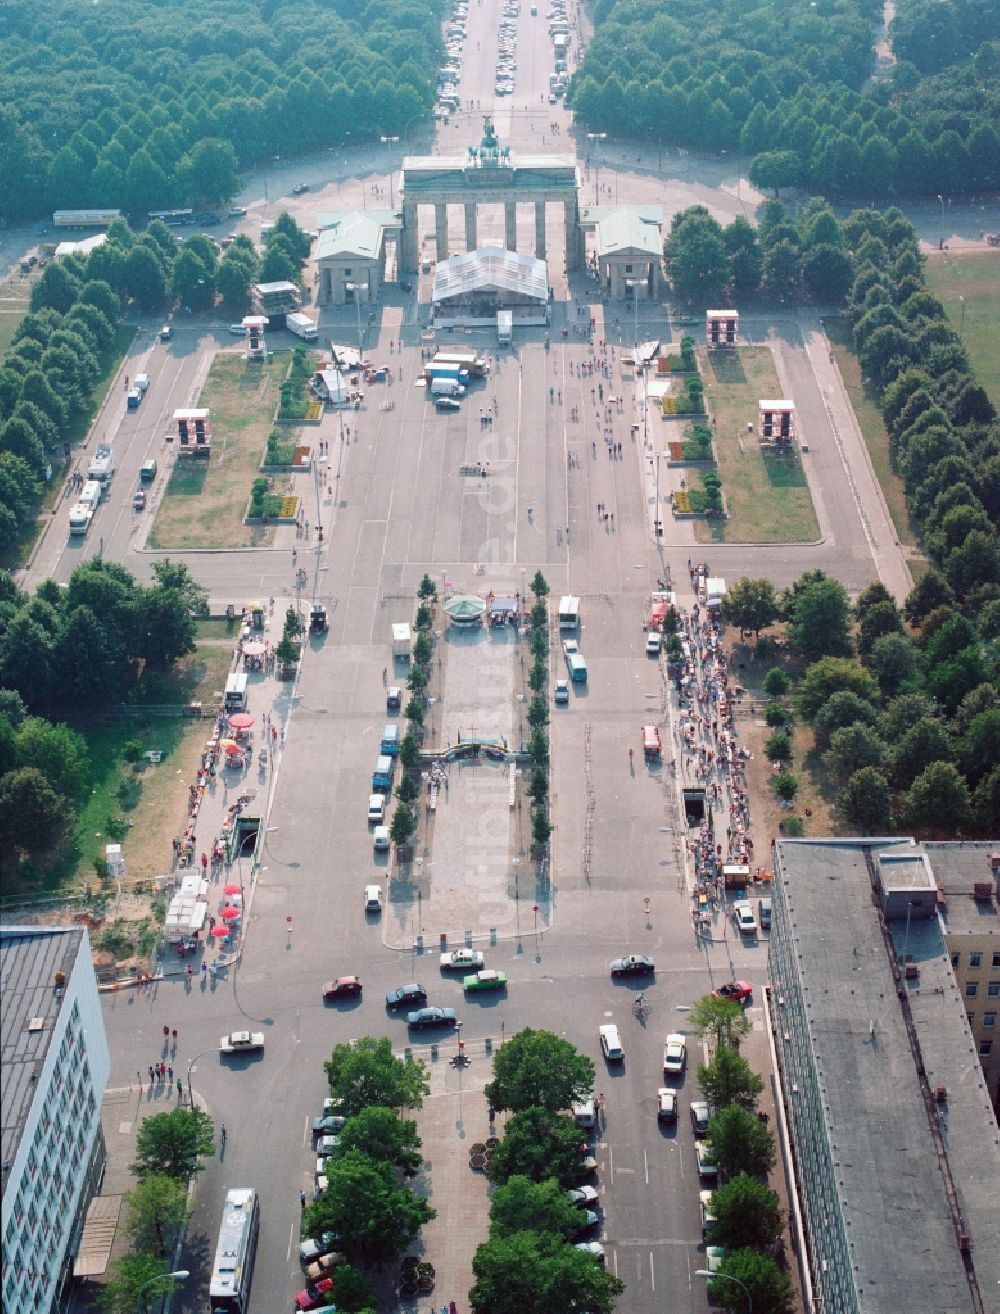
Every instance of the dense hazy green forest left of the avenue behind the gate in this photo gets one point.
(178, 98)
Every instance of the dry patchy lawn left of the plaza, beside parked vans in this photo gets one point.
(206, 501)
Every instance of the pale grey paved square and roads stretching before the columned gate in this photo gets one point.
(400, 509)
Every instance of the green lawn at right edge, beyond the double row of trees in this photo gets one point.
(974, 277)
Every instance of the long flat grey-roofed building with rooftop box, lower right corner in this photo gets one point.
(885, 1115)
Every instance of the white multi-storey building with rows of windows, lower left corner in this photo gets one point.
(55, 1070)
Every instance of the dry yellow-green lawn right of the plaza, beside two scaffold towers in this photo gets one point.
(767, 497)
